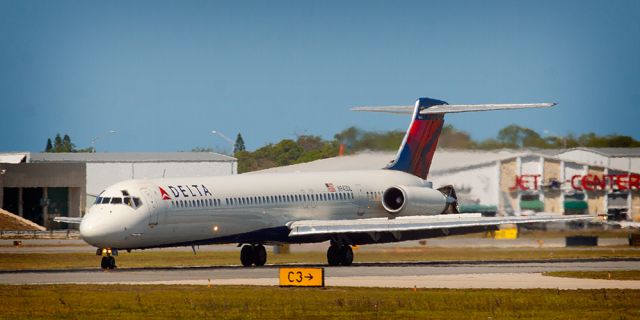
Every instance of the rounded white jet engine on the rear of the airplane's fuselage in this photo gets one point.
(410, 201)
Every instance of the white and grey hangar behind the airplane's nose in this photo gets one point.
(40, 186)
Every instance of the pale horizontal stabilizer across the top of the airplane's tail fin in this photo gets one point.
(453, 108)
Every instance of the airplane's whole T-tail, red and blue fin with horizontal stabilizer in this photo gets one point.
(420, 141)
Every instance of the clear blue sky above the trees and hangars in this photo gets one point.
(166, 73)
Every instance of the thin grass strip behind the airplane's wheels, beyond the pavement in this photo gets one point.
(166, 258)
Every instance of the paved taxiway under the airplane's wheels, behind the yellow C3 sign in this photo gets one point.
(455, 275)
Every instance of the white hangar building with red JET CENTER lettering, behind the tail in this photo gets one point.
(583, 180)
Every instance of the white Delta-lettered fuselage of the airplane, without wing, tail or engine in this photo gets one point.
(233, 209)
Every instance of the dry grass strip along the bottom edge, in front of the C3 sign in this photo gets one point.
(230, 302)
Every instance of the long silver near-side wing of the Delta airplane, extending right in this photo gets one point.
(416, 223)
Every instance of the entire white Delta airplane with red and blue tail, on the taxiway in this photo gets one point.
(346, 208)
